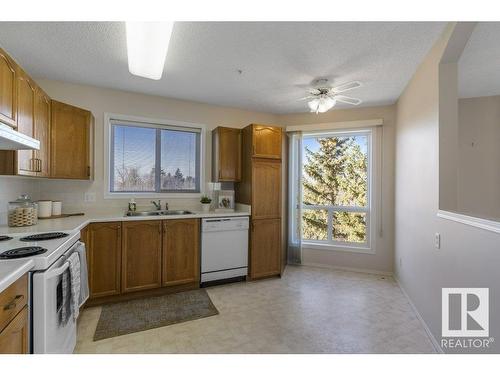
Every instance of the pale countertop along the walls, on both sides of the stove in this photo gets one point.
(11, 270)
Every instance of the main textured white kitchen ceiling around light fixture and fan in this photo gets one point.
(278, 60)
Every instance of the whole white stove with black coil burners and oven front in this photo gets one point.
(47, 333)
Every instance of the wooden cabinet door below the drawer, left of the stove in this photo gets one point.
(14, 338)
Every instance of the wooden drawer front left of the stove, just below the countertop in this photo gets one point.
(12, 300)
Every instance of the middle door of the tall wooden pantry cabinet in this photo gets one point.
(266, 189)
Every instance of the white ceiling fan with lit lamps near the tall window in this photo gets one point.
(322, 98)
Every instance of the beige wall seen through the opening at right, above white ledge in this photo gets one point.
(479, 157)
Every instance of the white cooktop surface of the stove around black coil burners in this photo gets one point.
(54, 248)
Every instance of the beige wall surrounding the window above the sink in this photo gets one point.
(99, 101)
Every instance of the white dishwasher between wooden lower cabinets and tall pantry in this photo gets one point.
(224, 248)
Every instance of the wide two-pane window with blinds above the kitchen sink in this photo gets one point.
(153, 158)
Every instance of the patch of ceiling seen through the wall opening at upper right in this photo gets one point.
(479, 64)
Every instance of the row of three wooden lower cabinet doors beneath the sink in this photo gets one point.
(137, 258)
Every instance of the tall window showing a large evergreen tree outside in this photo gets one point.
(335, 180)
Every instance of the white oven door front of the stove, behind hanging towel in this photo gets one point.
(49, 336)
